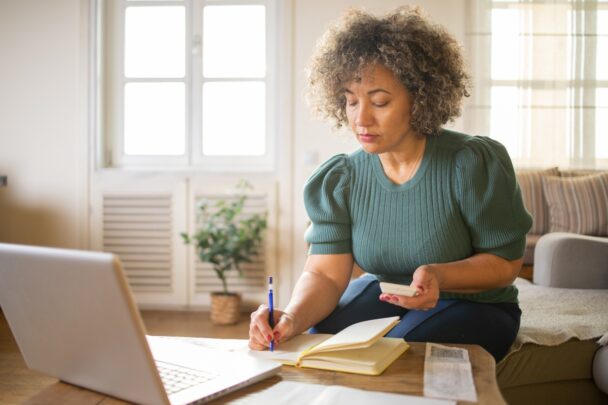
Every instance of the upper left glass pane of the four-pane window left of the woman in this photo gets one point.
(155, 41)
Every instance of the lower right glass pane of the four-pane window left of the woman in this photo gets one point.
(234, 118)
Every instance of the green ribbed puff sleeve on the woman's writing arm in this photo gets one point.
(326, 201)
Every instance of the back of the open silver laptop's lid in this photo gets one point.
(73, 317)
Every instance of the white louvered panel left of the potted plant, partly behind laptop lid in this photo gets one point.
(140, 220)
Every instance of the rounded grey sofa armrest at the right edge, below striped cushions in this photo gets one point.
(567, 260)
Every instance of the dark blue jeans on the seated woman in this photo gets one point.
(492, 326)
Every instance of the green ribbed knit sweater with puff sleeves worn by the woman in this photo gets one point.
(464, 199)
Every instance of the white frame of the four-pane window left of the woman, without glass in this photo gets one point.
(112, 80)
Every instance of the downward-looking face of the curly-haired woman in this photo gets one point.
(378, 110)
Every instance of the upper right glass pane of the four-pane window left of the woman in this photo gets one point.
(234, 41)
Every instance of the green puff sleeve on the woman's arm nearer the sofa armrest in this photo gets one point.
(490, 199)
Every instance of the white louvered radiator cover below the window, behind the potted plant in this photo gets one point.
(141, 222)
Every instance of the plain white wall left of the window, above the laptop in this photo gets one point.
(42, 123)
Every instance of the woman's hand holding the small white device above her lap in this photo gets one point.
(426, 283)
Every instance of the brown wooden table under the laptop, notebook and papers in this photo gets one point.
(404, 376)
